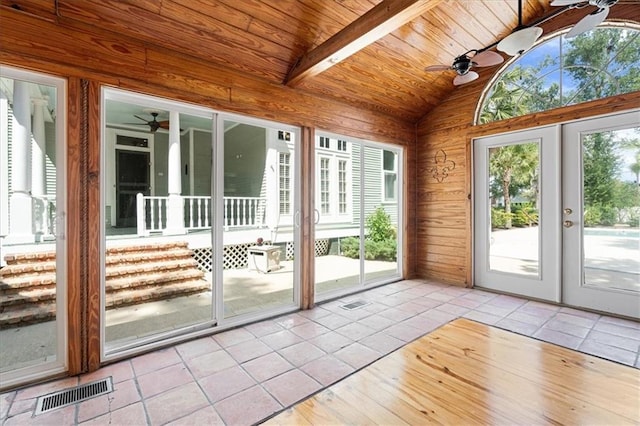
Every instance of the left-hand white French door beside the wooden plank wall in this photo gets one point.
(517, 222)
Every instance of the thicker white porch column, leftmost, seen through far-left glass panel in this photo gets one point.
(20, 227)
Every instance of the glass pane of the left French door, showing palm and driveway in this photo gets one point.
(514, 202)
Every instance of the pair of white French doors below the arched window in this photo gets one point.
(561, 230)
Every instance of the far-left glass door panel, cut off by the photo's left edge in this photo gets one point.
(32, 226)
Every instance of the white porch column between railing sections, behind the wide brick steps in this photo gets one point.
(175, 207)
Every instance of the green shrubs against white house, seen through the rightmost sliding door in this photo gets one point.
(380, 242)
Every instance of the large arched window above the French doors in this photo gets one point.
(560, 72)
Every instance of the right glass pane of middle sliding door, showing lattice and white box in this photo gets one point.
(258, 221)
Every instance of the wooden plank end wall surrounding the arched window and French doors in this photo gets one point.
(443, 209)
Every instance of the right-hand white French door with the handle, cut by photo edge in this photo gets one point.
(602, 207)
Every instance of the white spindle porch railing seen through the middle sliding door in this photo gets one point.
(239, 212)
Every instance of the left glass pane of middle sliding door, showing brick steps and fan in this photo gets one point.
(158, 215)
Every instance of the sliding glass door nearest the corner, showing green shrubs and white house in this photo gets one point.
(357, 214)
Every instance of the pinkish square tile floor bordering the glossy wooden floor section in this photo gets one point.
(245, 375)
